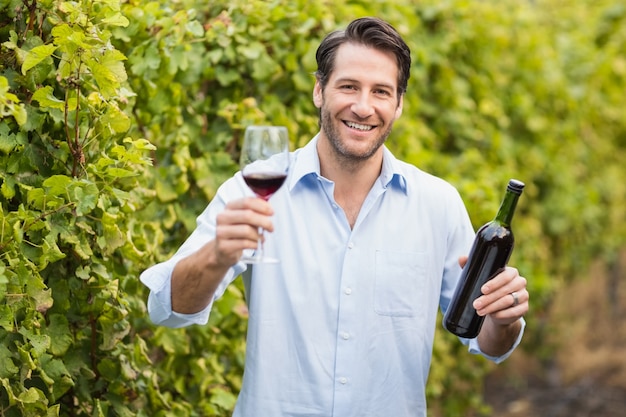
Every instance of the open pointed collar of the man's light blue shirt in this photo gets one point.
(306, 162)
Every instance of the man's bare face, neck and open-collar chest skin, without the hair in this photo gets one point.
(358, 101)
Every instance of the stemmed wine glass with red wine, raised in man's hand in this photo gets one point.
(264, 165)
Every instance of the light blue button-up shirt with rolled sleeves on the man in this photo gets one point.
(343, 326)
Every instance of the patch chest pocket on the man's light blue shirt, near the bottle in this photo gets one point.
(399, 283)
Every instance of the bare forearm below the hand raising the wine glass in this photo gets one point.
(195, 279)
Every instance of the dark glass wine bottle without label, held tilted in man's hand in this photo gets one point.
(490, 252)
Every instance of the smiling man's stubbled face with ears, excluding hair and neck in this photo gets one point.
(360, 101)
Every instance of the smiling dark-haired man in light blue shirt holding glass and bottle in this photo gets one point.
(370, 247)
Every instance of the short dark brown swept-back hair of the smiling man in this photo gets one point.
(368, 31)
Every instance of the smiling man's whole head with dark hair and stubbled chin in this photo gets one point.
(359, 89)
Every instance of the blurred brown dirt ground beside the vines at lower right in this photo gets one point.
(587, 375)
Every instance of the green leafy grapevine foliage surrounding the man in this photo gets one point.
(119, 119)
